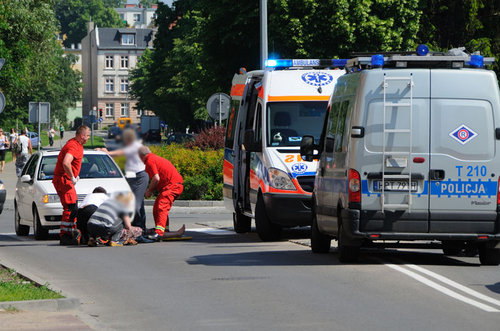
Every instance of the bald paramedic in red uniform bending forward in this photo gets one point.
(168, 182)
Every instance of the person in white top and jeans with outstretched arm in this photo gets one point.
(135, 173)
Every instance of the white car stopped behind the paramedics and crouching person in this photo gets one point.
(36, 202)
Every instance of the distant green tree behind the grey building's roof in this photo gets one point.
(74, 15)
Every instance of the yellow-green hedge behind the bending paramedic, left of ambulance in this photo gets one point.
(202, 170)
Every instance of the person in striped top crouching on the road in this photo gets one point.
(110, 224)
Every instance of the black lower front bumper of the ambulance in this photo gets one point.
(288, 210)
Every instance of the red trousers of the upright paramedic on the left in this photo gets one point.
(67, 194)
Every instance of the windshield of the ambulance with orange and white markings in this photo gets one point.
(287, 122)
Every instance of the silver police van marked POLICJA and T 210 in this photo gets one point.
(409, 151)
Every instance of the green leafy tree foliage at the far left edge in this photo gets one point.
(35, 68)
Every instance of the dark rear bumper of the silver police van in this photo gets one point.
(351, 222)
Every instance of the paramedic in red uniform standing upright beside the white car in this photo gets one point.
(66, 174)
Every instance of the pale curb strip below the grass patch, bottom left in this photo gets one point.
(51, 305)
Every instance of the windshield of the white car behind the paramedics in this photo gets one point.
(93, 166)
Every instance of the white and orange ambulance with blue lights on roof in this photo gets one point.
(264, 175)
